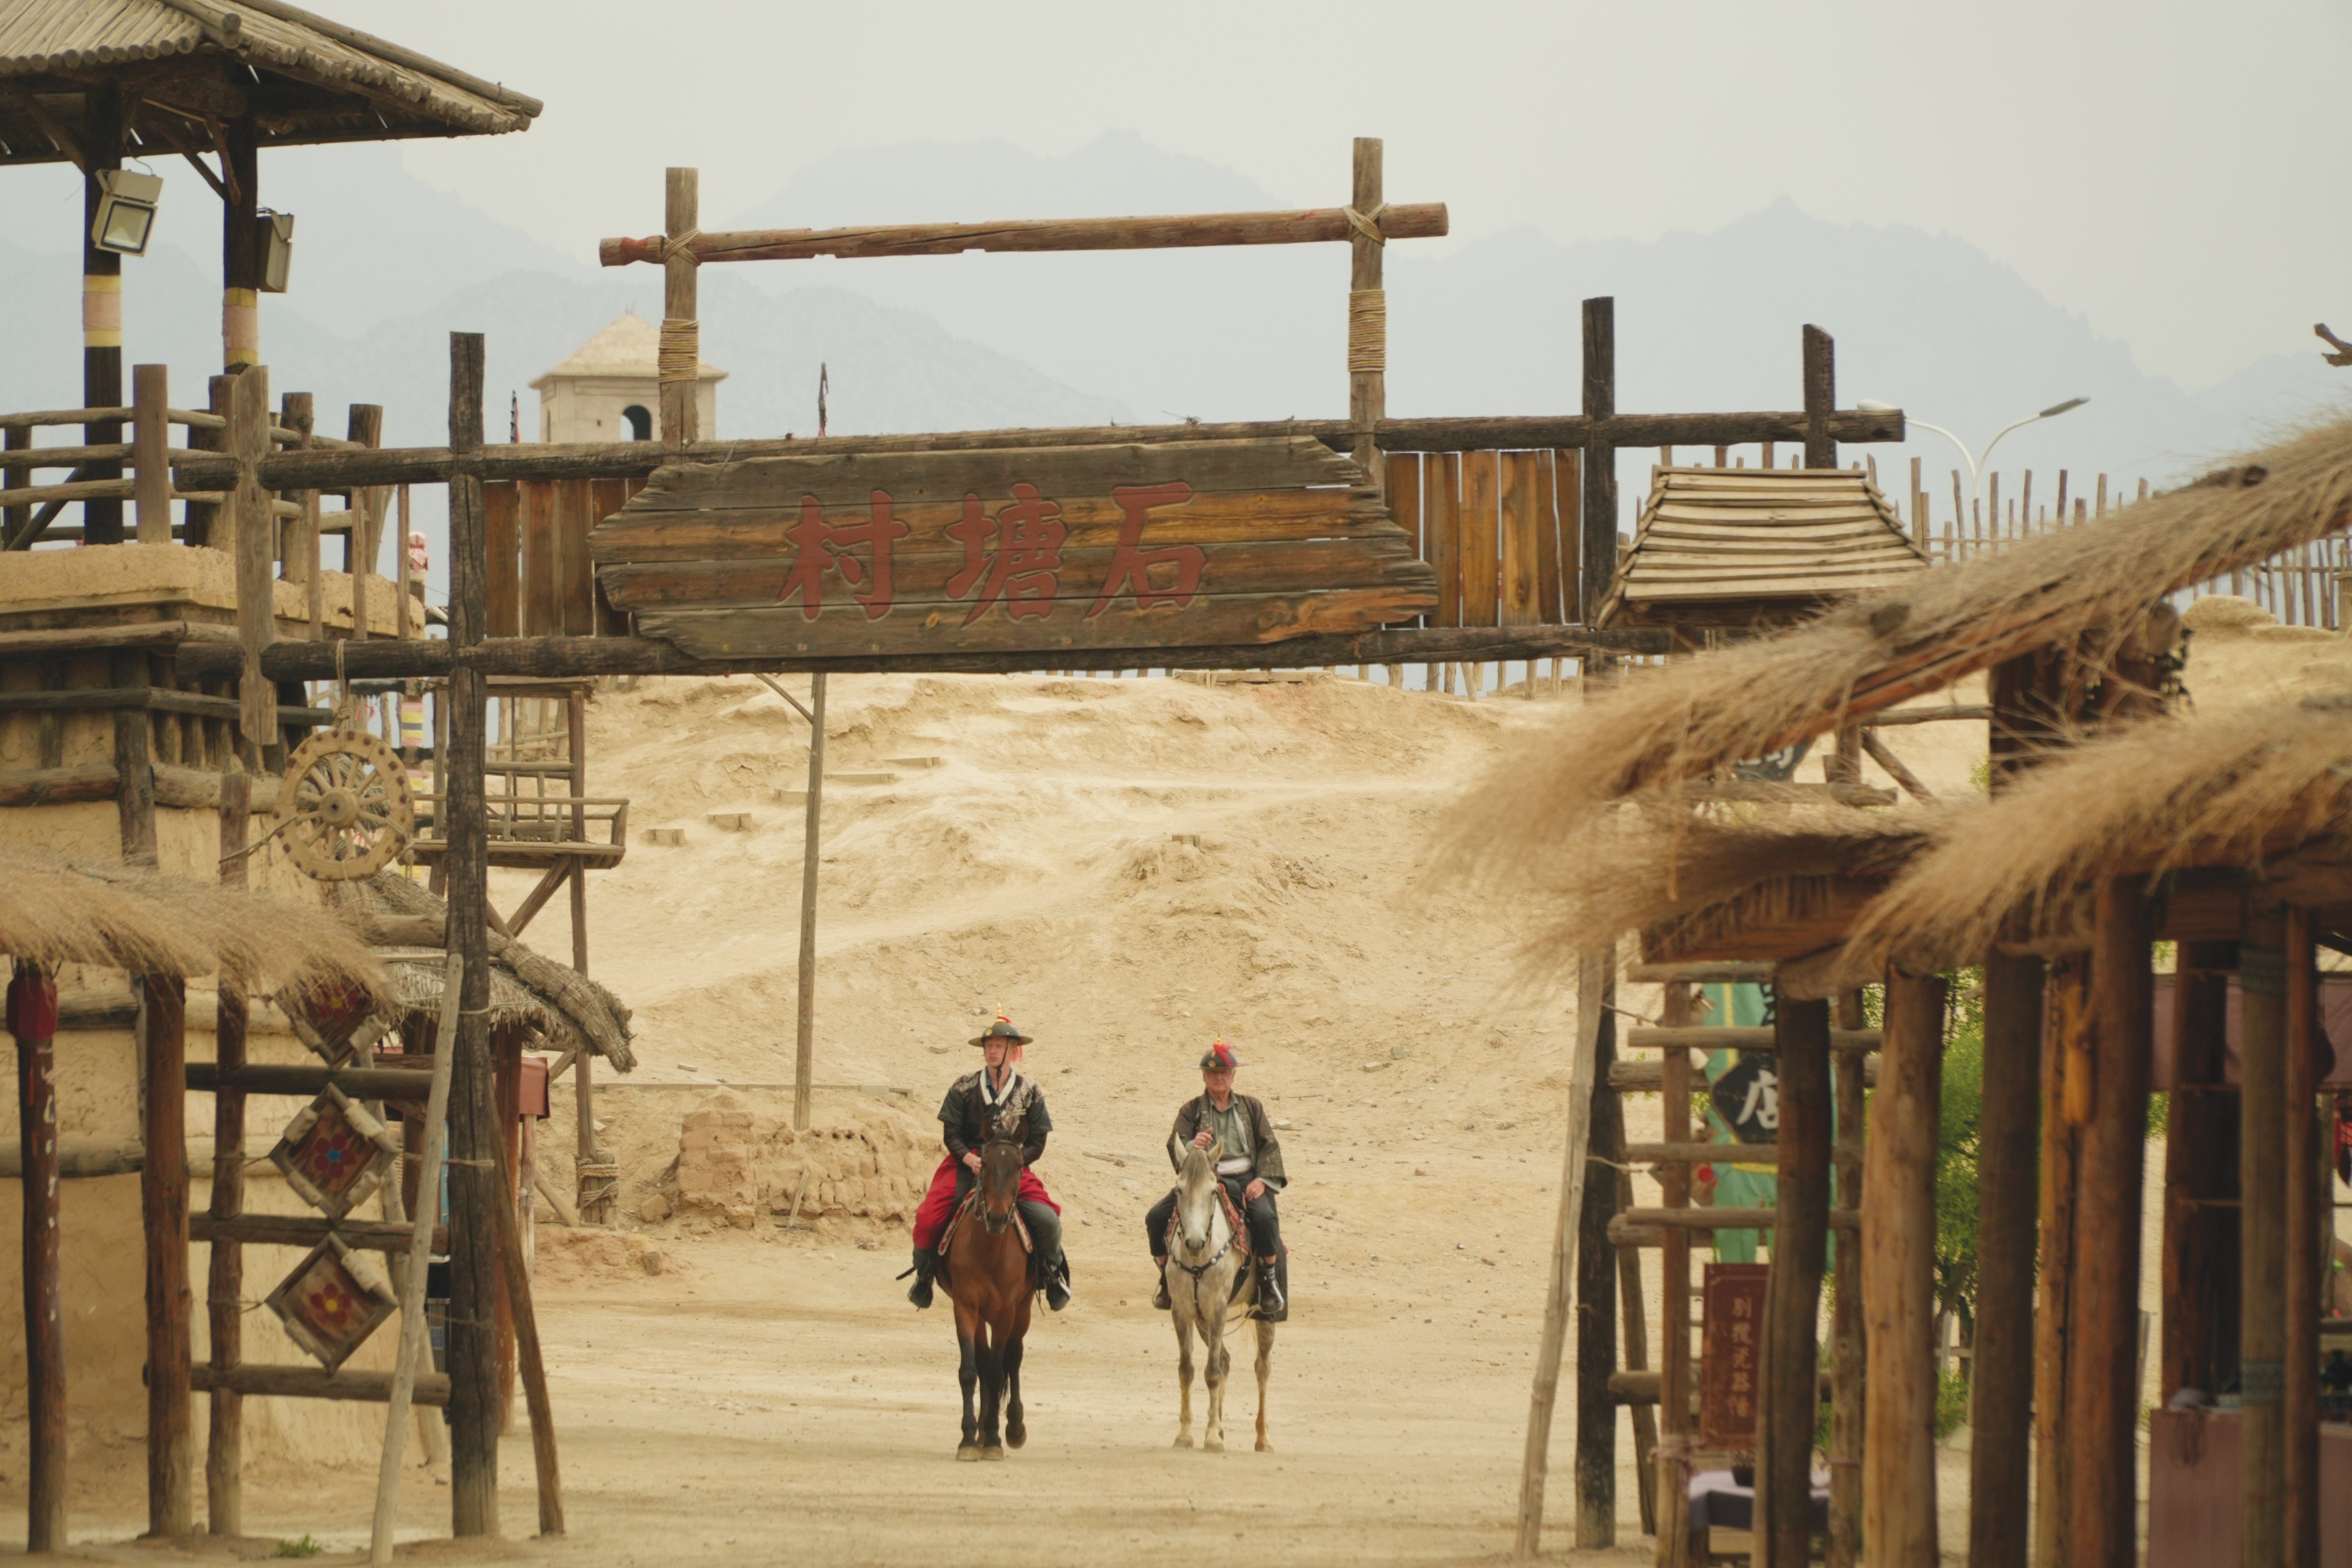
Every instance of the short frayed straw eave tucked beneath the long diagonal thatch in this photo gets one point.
(1692, 880)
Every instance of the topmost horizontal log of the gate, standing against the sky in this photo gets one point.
(1302, 227)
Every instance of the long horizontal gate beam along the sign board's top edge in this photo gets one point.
(375, 467)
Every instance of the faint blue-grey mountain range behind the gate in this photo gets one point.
(387, 267)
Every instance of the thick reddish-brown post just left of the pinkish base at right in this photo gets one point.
(2102, 1391)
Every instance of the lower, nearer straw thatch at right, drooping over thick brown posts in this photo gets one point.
(2160, 796)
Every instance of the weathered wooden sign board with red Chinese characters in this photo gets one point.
(1053, 551)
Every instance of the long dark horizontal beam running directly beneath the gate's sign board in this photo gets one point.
(554, 657)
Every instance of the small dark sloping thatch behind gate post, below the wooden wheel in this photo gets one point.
(561, 1003)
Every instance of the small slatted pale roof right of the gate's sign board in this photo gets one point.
(1737, 547)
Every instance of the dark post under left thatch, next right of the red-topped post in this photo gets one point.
(163, 1200)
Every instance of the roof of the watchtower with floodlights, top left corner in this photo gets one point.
(309, 79)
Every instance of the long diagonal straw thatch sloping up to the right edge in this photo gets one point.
(1920, 636)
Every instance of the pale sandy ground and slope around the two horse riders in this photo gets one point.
(1128, 869)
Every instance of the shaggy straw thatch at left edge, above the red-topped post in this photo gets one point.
(147, 923)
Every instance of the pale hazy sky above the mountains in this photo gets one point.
(2160, 166)
